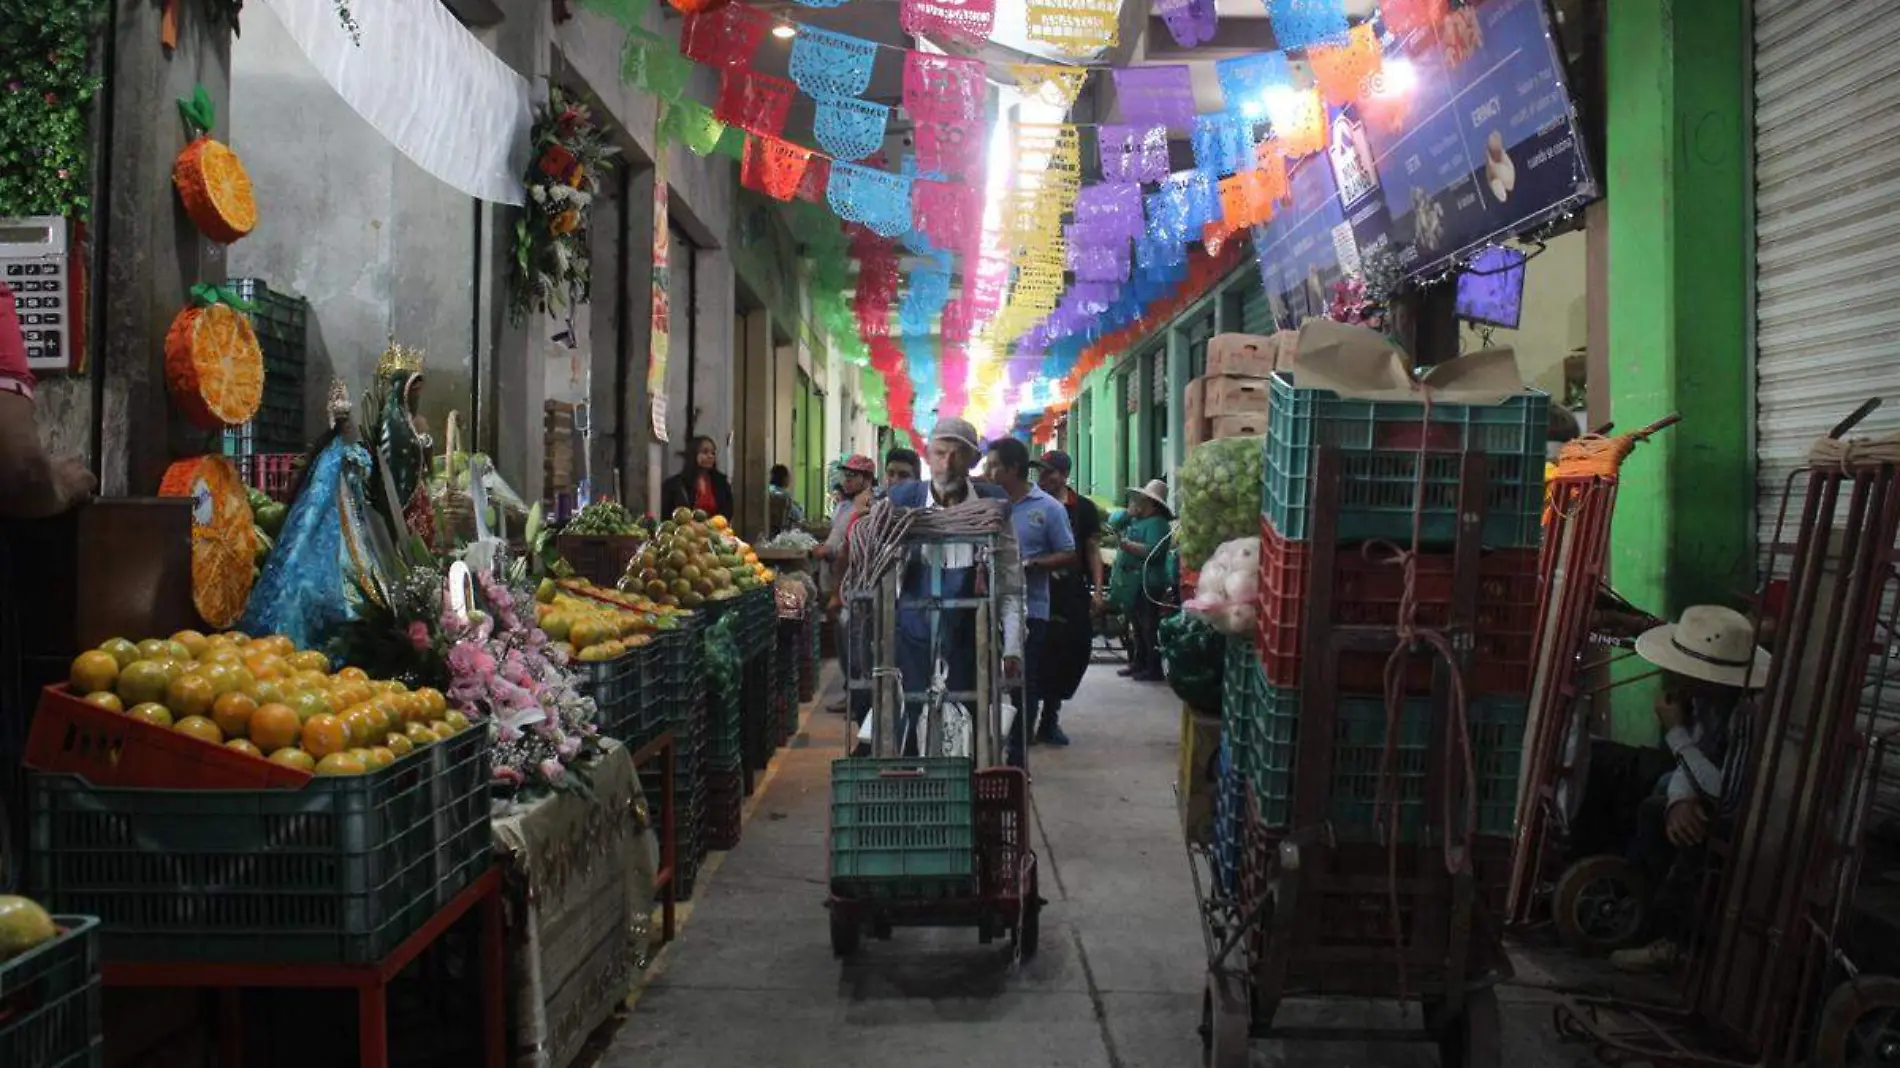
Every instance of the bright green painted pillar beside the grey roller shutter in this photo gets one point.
(1681, 267)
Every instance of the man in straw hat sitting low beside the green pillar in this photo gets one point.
(1711, 662)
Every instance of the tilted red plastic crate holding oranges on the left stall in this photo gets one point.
(113, 750)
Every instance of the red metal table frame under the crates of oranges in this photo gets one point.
(371, 982)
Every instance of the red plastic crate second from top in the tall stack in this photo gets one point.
(1369, 584)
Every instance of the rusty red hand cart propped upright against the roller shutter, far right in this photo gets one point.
(1783, 879)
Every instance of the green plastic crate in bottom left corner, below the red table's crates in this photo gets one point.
(50, 1001)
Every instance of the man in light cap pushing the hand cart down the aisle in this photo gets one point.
(953, 451)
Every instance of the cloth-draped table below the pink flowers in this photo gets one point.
(580, 892)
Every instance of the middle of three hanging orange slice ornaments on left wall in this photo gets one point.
(214, 364)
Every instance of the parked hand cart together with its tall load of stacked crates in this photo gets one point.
(1375, 725)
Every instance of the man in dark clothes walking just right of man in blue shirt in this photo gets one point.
(1074, 598)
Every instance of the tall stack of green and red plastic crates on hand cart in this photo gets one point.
(1377, 514)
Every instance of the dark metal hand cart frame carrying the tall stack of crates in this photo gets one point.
(1339, 900)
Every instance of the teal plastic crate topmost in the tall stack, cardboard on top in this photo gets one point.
(1380, 455)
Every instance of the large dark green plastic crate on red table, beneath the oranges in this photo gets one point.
(339, 871)
